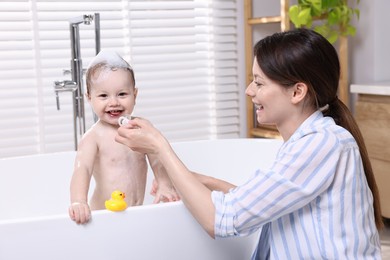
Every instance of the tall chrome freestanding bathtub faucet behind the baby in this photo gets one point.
(75, 85)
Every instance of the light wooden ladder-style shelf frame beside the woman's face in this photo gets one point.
(255, 130)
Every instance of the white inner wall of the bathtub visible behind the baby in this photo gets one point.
(38, 186)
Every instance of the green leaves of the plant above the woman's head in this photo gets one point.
(331, 18)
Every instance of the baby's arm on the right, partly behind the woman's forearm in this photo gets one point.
(162, 187)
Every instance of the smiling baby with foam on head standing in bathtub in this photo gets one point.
(112, 93)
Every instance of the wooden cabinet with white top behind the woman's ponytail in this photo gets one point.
(372, 113)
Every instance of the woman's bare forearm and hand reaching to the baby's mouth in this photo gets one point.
(141, 136)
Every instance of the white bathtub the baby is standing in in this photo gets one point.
(34, 197)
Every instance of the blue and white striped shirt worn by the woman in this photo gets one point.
(312, 203)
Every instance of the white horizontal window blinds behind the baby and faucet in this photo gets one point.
(184, 54)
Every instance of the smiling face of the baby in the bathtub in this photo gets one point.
(112, 95)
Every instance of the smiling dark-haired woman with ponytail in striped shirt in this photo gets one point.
(319, 199)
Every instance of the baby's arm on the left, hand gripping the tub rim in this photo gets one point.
(79, 210)
